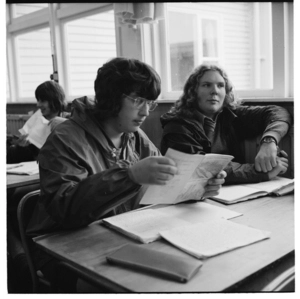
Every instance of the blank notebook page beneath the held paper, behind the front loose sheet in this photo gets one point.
(199, 212)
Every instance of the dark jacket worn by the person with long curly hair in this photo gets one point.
(235, 126)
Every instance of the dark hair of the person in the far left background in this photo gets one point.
(54, 94)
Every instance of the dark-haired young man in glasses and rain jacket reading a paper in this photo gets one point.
(100, 155)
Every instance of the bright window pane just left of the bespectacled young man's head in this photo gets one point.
(90, 42)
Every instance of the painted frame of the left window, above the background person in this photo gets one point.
(54, 17)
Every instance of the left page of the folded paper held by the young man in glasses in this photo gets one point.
(167, 194)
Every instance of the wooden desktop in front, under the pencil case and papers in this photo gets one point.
(86, 249)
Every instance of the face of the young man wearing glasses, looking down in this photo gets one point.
(130, 118)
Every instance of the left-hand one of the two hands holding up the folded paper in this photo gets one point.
(153, 171)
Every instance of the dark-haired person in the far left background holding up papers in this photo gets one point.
(51, 101)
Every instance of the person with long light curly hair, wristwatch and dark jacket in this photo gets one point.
(208, 119)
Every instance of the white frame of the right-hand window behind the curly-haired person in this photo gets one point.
(154, 39)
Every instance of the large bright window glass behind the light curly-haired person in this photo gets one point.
(235, 36)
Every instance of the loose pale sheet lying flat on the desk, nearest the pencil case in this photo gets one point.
(207, 239)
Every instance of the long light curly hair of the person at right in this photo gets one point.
(187, 102)
